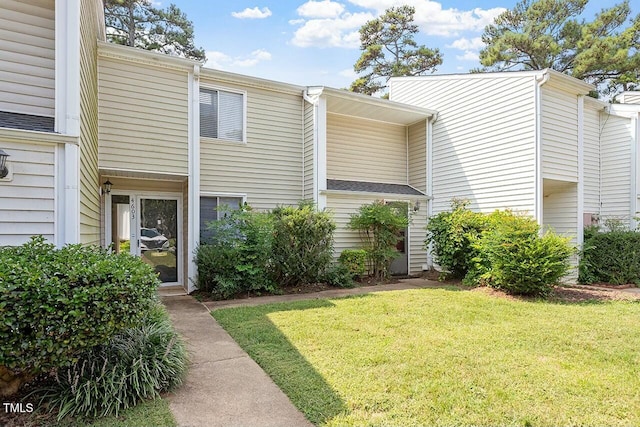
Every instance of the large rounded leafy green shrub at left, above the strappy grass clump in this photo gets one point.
(54, 304)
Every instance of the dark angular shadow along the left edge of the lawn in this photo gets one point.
(271, 349)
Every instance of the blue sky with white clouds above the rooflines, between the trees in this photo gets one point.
(316, 42)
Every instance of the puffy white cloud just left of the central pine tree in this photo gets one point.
(337, 32)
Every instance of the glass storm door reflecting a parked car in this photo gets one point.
(158, 240)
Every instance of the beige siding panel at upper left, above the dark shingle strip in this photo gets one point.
(27, 57)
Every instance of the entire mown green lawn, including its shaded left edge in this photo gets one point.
(448, 357)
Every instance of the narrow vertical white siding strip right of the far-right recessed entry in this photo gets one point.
(591, 157)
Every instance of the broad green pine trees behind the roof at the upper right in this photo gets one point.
(542, 34)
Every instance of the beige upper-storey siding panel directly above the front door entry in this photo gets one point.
(143, 117)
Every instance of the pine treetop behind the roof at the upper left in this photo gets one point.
(138, 23)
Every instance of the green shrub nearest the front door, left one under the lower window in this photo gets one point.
(237, 256)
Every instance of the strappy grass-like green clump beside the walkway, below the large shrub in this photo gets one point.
(137, 364)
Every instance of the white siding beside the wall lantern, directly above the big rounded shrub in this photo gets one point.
(28, 200)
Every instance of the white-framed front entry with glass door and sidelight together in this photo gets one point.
(149, 226)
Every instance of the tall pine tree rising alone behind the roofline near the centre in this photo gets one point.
(389, 50)
